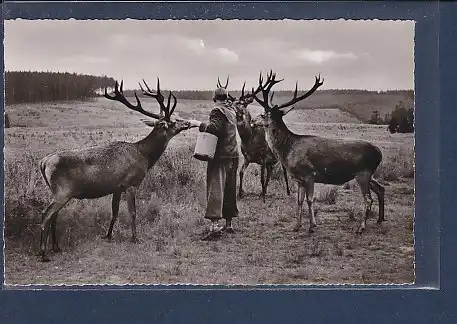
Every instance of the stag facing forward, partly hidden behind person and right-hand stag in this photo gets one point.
(253, 144)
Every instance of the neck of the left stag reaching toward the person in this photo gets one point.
(153, 145)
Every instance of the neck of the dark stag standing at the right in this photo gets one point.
(279, 138)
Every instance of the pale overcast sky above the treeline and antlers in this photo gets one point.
(374, 55)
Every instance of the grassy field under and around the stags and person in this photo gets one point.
(171, 202)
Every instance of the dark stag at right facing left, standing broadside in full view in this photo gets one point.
(312, 159)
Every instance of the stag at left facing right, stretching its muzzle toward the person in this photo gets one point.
(109, 169)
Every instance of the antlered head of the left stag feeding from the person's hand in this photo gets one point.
(162, 121)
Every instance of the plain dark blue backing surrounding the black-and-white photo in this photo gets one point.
(435, 78)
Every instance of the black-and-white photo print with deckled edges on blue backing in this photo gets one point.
(209, 152)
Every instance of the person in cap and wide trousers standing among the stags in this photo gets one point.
(222, 169)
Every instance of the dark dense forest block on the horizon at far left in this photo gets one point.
(27, 86)
